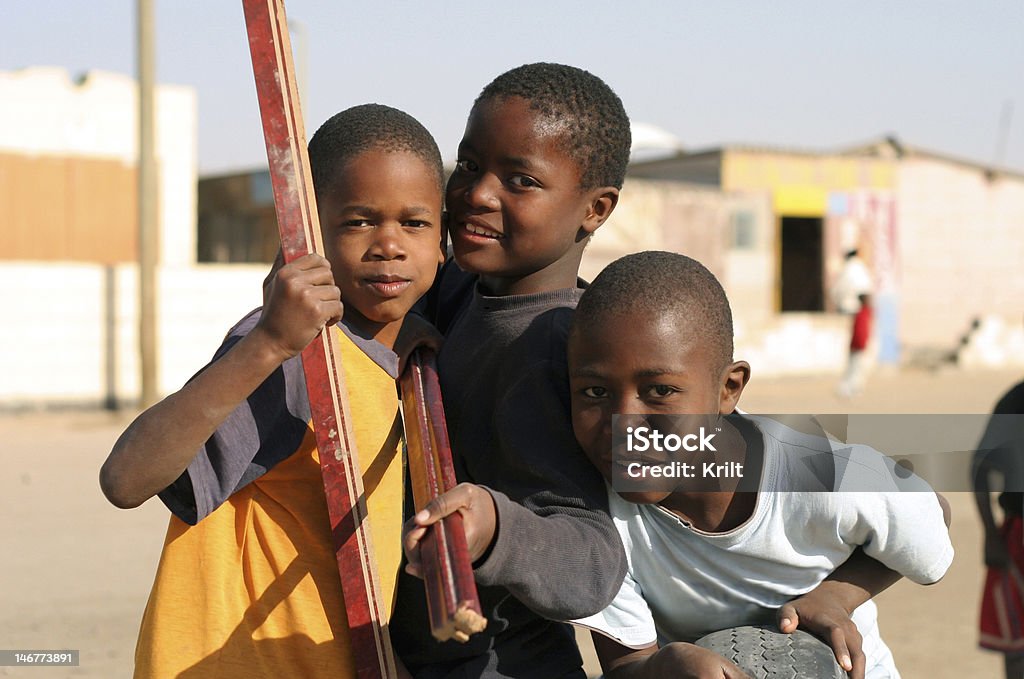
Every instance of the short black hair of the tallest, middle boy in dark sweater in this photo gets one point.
(598, 129)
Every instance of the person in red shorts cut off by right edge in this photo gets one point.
(1001, 453)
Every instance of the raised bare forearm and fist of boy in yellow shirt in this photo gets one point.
(157, 448)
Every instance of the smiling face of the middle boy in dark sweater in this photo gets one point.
(518, 216)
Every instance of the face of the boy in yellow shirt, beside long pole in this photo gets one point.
(380, 218)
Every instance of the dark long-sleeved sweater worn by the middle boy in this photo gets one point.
(557, 555)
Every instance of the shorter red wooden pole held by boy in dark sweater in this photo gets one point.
(448, 573)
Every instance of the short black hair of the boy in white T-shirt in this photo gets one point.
(662, 285)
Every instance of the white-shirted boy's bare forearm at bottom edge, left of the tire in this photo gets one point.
(674, 661)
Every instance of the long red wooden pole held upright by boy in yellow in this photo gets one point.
(300, 228)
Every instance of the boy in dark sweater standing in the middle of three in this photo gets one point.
(539, 172)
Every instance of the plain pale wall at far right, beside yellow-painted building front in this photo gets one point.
(962, 250)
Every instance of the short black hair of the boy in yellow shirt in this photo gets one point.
(361, 129)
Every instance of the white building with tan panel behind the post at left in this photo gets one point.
(69, 245)
